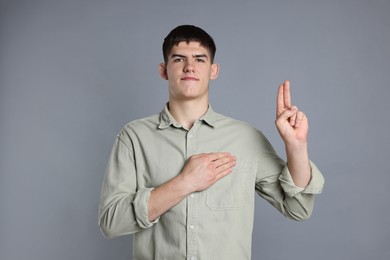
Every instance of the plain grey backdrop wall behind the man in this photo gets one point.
(73, 72)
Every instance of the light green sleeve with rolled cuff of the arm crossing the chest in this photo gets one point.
(123, 205)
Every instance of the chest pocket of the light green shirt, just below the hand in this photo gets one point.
(230, 191)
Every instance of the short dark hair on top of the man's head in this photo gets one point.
(188, 33)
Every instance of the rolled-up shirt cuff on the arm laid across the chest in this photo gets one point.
(141, 208)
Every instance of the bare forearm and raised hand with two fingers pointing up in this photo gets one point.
(292, 125)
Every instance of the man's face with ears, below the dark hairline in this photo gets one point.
(188, 71)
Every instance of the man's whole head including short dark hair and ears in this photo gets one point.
(188, 64)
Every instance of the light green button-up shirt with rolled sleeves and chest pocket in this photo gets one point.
(213, 224)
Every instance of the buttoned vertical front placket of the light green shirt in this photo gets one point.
(191, 202)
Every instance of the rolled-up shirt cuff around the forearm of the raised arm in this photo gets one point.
(315, 185)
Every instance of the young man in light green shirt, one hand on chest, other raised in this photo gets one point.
(183, 181)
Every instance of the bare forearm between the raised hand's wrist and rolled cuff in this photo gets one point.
(298, 164)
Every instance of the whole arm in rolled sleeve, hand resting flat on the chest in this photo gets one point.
(125, 208)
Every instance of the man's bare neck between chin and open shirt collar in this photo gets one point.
(186, 113)
